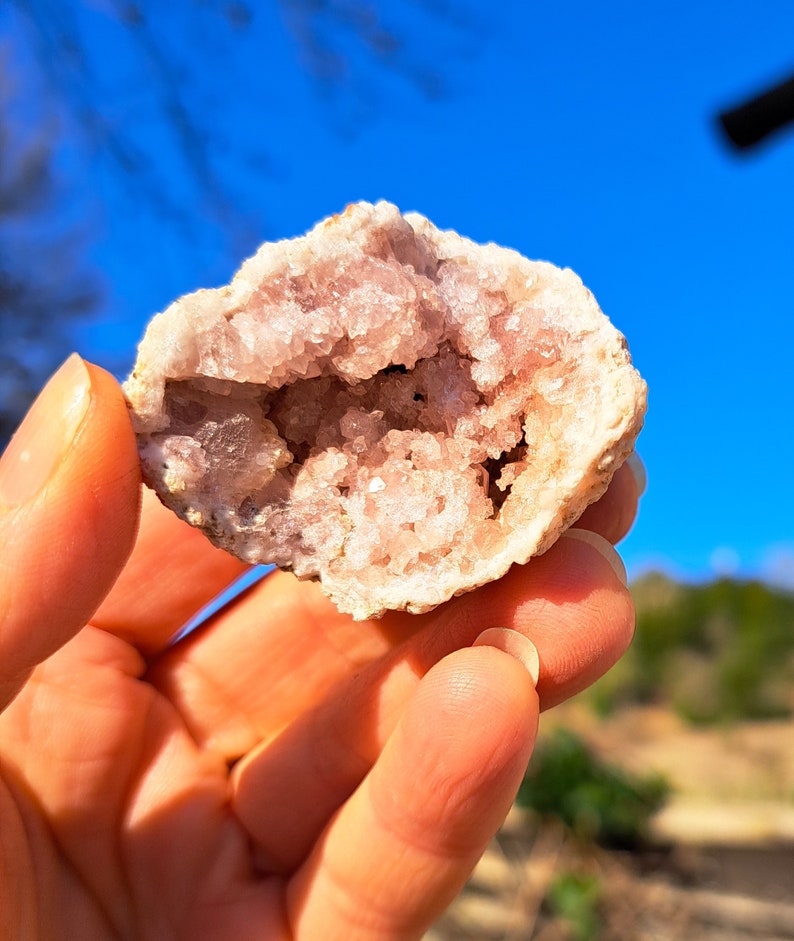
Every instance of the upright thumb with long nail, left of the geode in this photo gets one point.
(69, 492)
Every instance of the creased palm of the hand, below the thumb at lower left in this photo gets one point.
(119, 787)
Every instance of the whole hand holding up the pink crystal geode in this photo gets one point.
(282, 772)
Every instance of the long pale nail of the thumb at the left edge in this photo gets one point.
(44, 437)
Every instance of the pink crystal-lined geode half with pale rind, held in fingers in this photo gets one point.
(391, 409)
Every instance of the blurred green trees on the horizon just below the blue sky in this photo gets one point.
(715, 653)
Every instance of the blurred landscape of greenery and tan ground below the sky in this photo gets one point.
(720, 655)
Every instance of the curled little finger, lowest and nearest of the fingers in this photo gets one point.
(401, 848)
